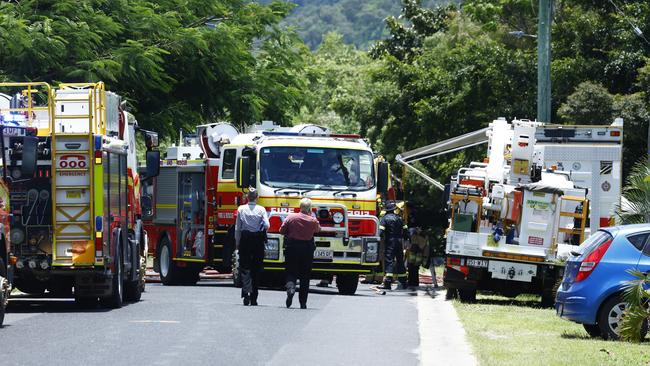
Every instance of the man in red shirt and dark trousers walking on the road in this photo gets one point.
(298, 230)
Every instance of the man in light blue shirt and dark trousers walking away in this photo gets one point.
(250, 234)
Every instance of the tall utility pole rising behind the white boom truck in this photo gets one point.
(544, 60)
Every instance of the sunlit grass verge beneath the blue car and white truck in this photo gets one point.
(517, 332)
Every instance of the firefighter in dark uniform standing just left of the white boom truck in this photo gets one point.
(393, 229)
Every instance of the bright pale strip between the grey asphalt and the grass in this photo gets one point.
(442, 337)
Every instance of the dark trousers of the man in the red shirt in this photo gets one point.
(299, 256)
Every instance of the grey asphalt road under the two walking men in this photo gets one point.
(208, 325)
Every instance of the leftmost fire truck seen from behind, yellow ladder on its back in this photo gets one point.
(76, 218)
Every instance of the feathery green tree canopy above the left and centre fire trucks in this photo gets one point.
(178, 62)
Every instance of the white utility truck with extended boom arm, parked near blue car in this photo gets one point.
(514, 217)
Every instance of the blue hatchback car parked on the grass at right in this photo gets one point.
(596, 274)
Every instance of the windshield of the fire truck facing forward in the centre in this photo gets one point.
(317, 168)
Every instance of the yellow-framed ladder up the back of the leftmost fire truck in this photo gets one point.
(79, 115)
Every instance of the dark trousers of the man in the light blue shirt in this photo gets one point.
(251, 258)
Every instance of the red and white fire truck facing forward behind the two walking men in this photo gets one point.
(193, 202)
